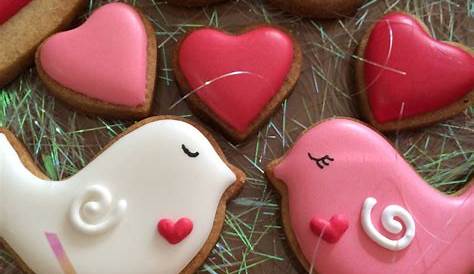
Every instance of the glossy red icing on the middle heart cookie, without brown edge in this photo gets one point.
(236, 76)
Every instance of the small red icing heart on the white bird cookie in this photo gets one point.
(173, 232)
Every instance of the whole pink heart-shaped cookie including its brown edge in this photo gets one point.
(106, 66)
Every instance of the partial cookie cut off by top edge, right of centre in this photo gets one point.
(325, 9)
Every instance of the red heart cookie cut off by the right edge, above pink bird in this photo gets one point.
(408, 79)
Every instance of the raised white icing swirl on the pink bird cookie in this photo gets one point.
(390, 224)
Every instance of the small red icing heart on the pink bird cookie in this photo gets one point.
(330, 231)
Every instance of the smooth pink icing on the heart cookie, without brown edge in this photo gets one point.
(104, 59)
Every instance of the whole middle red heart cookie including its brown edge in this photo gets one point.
(237, 81)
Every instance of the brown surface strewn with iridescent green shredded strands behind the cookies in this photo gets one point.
(63, 141)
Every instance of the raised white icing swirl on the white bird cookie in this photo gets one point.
(94, 212)
